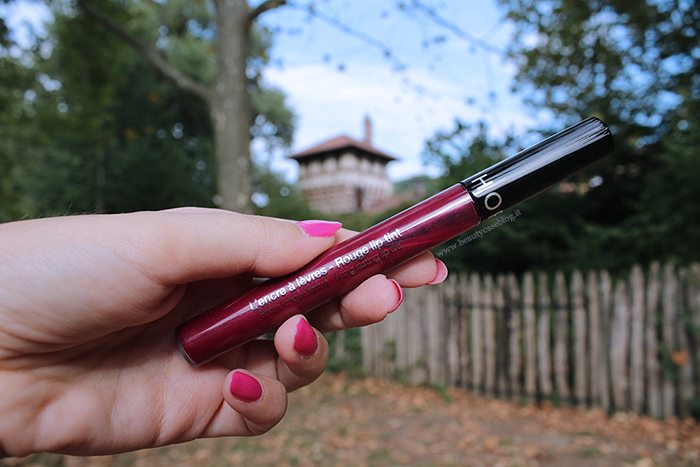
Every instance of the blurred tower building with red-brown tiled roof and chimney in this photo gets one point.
(343, 175)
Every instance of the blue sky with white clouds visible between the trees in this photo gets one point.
(335, 71)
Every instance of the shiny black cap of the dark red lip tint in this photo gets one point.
(539, 167)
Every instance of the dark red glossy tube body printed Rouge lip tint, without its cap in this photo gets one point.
(335, 272)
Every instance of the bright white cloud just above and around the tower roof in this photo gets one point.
(330, 103)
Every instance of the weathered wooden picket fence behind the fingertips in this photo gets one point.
(630, 345)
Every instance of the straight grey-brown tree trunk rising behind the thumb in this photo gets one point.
(230, 107)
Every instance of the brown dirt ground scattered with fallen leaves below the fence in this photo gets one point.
(341, 422)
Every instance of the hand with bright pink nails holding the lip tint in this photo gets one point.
(88, 308)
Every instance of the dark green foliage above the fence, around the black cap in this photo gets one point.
(637, 67)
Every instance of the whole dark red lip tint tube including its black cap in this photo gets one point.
(394, 241)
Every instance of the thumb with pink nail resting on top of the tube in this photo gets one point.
(186, 245)
